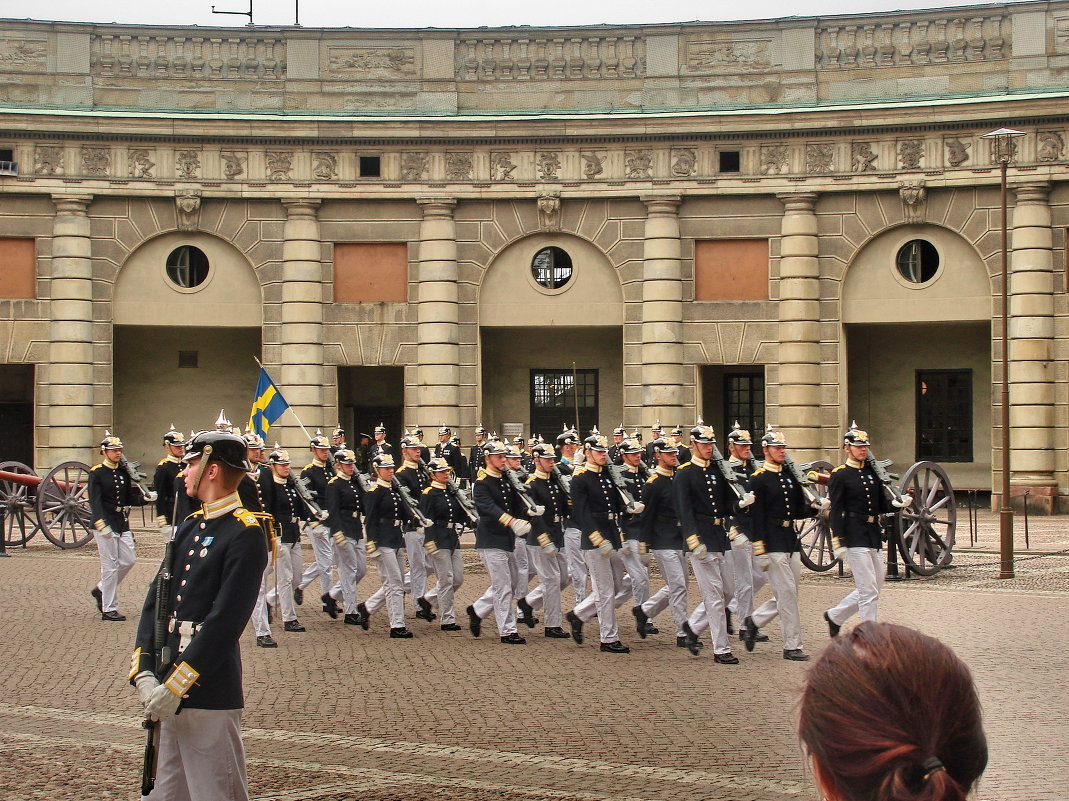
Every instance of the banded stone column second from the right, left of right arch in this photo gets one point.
(798, 413)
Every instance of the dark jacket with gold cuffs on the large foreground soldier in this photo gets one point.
(219, 560)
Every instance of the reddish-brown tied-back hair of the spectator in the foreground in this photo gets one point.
(892, 715)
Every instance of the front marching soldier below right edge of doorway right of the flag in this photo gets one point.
(386, 516)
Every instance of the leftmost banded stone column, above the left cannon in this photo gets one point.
(70, 399)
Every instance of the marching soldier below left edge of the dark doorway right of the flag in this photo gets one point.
(345, 505)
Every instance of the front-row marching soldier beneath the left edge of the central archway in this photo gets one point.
(501, 521)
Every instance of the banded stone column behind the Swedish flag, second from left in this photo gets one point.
(302, 374)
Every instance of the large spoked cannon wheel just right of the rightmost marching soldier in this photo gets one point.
(927, 528)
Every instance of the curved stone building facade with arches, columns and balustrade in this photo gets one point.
(793, 222)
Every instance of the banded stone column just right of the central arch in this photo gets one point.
(662, 367)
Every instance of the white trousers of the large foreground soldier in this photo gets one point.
(202, 758)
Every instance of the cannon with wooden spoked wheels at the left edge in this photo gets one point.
(56, 505)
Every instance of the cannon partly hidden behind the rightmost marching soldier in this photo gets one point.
(923, 534)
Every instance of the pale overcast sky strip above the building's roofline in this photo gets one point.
(442, 14)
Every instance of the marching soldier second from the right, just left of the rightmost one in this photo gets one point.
(780, 501)
